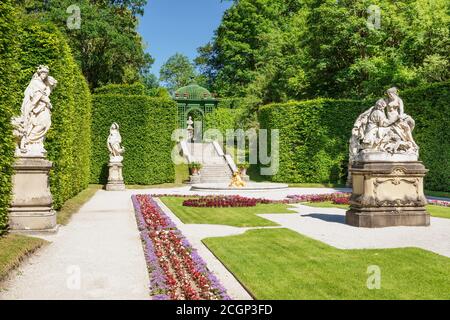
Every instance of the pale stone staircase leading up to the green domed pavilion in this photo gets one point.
(215, 167)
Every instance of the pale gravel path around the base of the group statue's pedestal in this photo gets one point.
(328, 225)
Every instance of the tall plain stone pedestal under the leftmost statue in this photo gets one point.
(31, 207)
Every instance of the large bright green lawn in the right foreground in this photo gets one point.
(282, 264)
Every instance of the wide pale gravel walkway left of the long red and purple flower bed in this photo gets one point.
(101, 244)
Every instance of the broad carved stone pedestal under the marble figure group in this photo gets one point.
(386, 194)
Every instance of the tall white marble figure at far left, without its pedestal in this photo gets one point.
(34, 122)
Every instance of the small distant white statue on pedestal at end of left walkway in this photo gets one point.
(115, 178)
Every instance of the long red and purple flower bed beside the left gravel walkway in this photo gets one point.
(176, 271)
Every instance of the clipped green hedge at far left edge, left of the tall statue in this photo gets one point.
(9, 68)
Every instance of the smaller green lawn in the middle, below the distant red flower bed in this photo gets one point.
(237, 217)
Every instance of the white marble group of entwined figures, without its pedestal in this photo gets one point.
(384, 132)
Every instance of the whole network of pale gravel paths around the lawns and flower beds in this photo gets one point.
(99, 254)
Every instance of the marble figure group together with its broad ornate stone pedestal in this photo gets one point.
(384, 170)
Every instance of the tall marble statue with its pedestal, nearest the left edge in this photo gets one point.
(31, 207)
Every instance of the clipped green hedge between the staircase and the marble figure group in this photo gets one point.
(313, 138)
